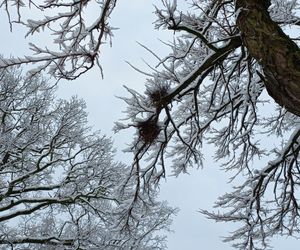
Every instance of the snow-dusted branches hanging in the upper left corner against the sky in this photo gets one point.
(77, 39)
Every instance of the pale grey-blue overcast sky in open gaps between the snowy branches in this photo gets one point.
(189, 192)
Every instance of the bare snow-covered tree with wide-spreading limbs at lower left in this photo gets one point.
(59, 185)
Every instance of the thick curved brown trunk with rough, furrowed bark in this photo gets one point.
(278, 55)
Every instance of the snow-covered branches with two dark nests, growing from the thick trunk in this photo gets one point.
(210, 90)
